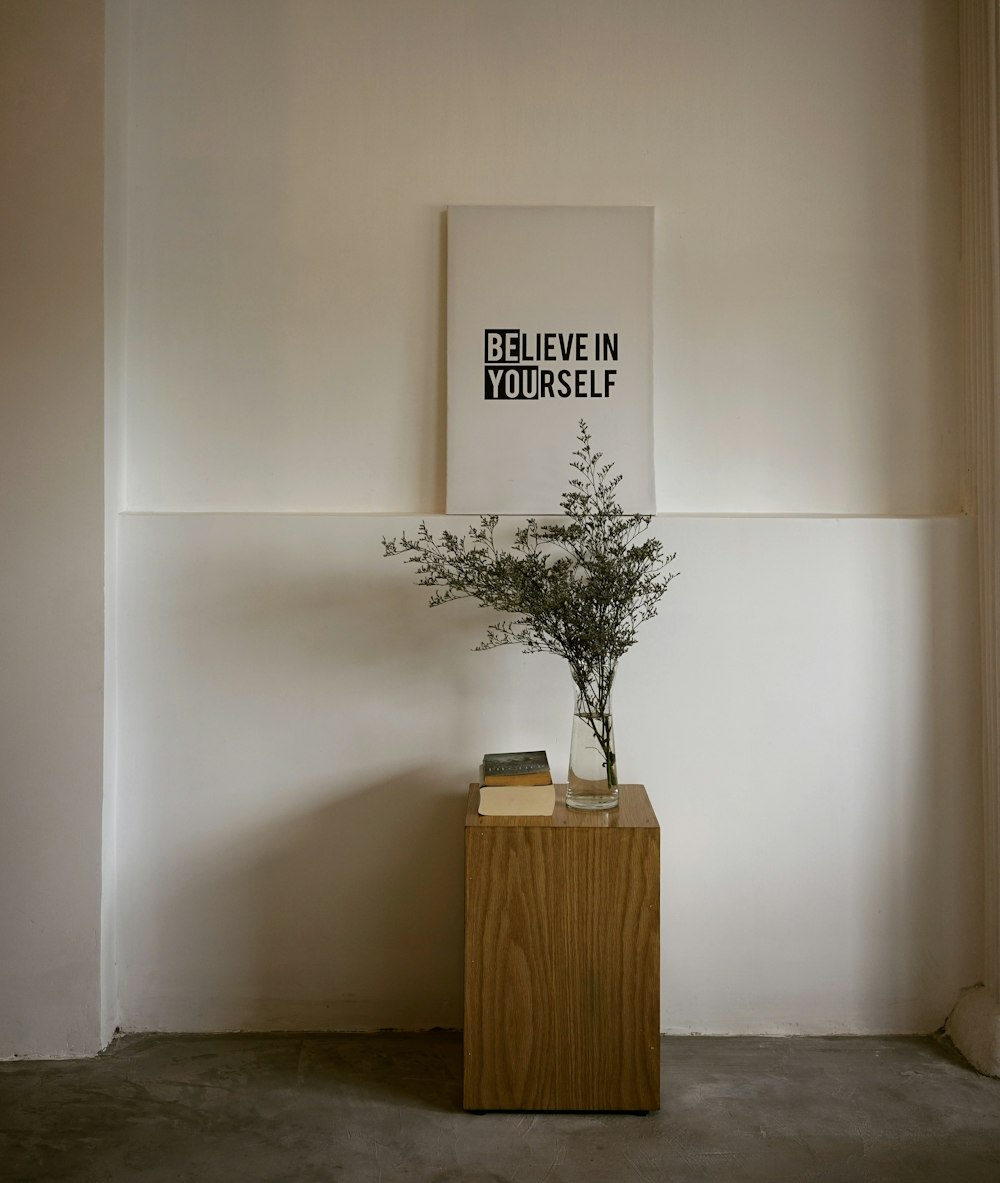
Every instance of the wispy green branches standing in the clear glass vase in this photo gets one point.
(578, 589)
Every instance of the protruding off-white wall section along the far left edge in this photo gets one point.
(51, 479)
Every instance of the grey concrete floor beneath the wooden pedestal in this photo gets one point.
(294, 1109)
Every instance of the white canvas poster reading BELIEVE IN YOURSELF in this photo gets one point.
(550, 321)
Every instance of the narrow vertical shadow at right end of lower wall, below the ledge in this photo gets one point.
(927, 907)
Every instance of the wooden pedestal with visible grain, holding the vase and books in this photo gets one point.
(563, 959)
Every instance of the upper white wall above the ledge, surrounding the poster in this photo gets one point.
(292, 161)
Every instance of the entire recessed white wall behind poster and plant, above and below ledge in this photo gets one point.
(296, 728)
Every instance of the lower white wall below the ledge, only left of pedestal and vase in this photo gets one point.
(299, 732)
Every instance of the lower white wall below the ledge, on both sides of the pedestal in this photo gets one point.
(299, 731)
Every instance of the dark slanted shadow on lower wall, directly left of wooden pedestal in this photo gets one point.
(336, 917)
